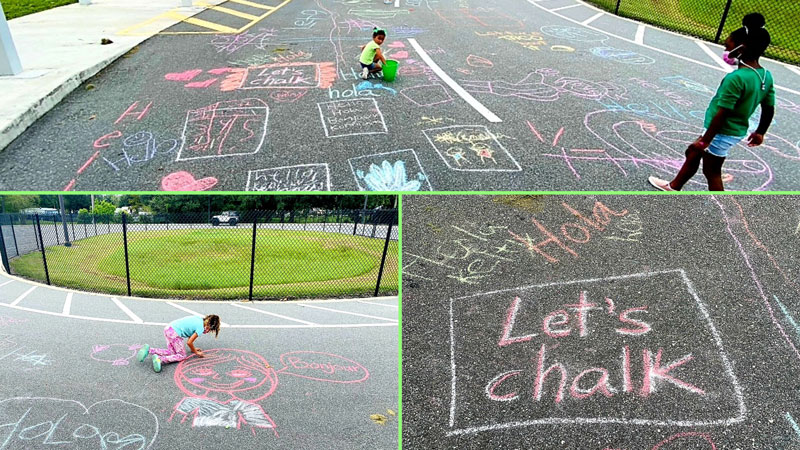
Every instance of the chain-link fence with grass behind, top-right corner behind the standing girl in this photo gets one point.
(714, 20)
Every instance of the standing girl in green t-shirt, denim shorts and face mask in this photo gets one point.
(728, 114)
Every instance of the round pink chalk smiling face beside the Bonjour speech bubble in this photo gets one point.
(227, 374)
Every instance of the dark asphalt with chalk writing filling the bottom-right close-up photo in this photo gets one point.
(607, 322)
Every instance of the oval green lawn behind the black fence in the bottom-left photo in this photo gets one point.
(215, 263)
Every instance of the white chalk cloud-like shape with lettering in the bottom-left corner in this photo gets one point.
(40, 422)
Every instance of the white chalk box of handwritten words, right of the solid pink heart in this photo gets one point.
(303, 177)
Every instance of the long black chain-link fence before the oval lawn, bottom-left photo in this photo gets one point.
(256, 254)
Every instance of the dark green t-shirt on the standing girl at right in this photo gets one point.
(740, 91)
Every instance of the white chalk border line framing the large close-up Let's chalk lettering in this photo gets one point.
(602, 420)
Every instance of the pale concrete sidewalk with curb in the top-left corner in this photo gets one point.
(60, 48)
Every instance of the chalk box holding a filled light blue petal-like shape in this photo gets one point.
(391, 171)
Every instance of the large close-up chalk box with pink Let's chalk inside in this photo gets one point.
(587, 353)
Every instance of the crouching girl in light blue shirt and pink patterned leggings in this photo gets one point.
(190, 327)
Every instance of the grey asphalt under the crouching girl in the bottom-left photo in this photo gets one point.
(70, 375)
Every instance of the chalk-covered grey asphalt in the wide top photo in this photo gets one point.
(513, 95)
